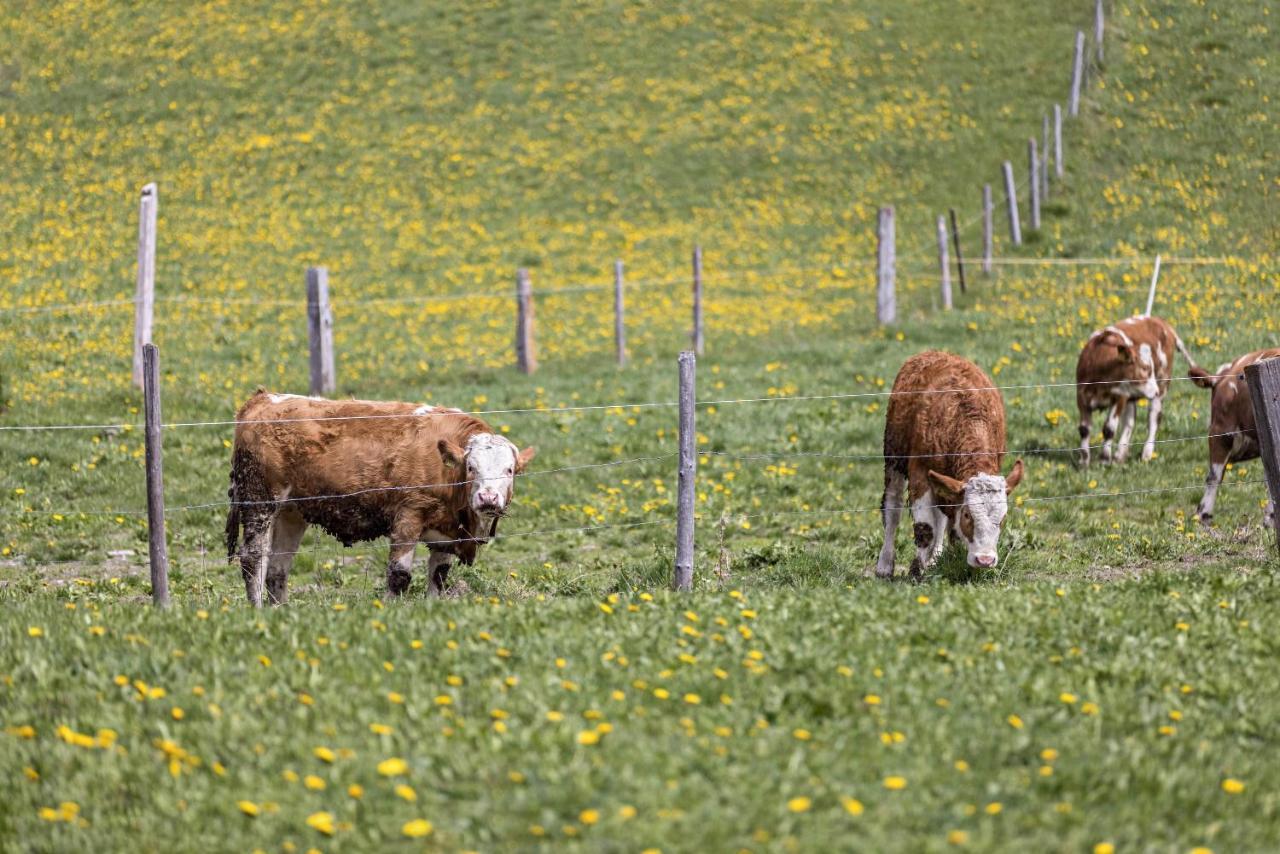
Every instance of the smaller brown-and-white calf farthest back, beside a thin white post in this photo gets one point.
(1119, 366)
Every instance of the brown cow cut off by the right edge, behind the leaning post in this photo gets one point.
(1233, 433)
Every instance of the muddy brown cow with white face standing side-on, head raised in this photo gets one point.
(363, 471)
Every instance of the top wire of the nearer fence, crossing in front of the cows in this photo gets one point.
(559, 410)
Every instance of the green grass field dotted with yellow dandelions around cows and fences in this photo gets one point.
(429, 152)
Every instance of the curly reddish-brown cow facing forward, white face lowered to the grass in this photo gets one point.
(945, 439)
